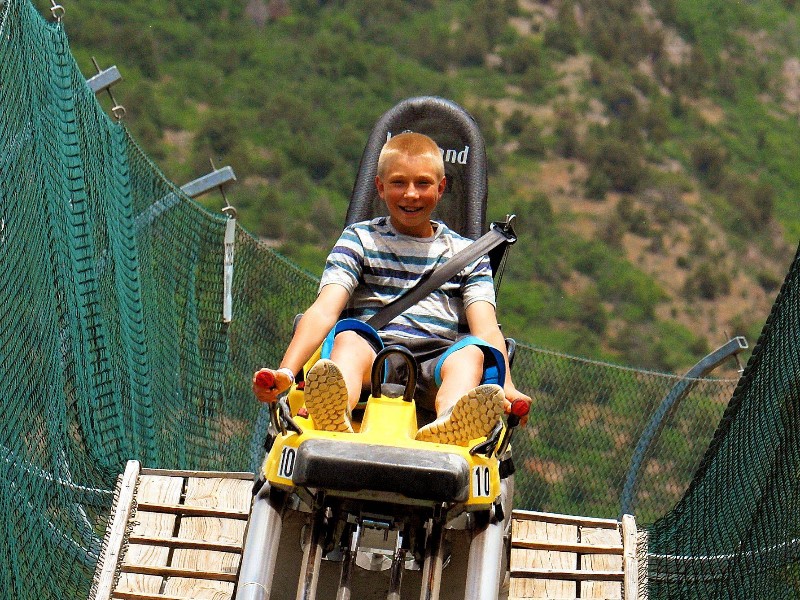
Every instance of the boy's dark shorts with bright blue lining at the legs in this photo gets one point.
(430, 354)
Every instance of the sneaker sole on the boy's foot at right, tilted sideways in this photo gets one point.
(473, 416)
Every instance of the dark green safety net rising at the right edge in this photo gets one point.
(736, 532)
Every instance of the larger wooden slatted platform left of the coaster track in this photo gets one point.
(174, 535)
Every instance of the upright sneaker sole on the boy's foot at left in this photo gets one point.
(326, 397)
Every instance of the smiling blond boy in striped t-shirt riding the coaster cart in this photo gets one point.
(372, 263)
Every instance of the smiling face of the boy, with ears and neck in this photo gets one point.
(411, 187)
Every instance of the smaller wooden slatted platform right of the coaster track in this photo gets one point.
(565, 557)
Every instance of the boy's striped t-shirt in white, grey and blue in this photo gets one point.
(376, 264)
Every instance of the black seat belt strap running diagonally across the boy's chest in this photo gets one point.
(499, 233)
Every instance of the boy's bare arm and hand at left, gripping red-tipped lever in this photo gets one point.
(314, 325)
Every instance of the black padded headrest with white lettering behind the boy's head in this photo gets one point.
(463, 206)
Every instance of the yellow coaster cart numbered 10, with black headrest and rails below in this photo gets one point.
(375, 513)
